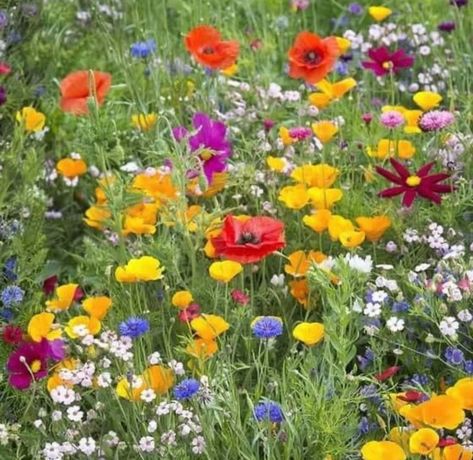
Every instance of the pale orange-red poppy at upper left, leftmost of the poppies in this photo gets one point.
(78, 86)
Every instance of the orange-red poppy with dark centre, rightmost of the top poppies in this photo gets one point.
(311, 57)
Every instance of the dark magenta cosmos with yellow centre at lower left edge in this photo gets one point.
(27, 363)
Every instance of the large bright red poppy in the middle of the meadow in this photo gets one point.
(250, 240)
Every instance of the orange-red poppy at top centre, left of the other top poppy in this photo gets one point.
(207, 47)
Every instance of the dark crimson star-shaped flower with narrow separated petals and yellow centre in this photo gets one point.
(412, 185)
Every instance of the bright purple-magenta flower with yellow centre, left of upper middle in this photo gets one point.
(209, 142)
